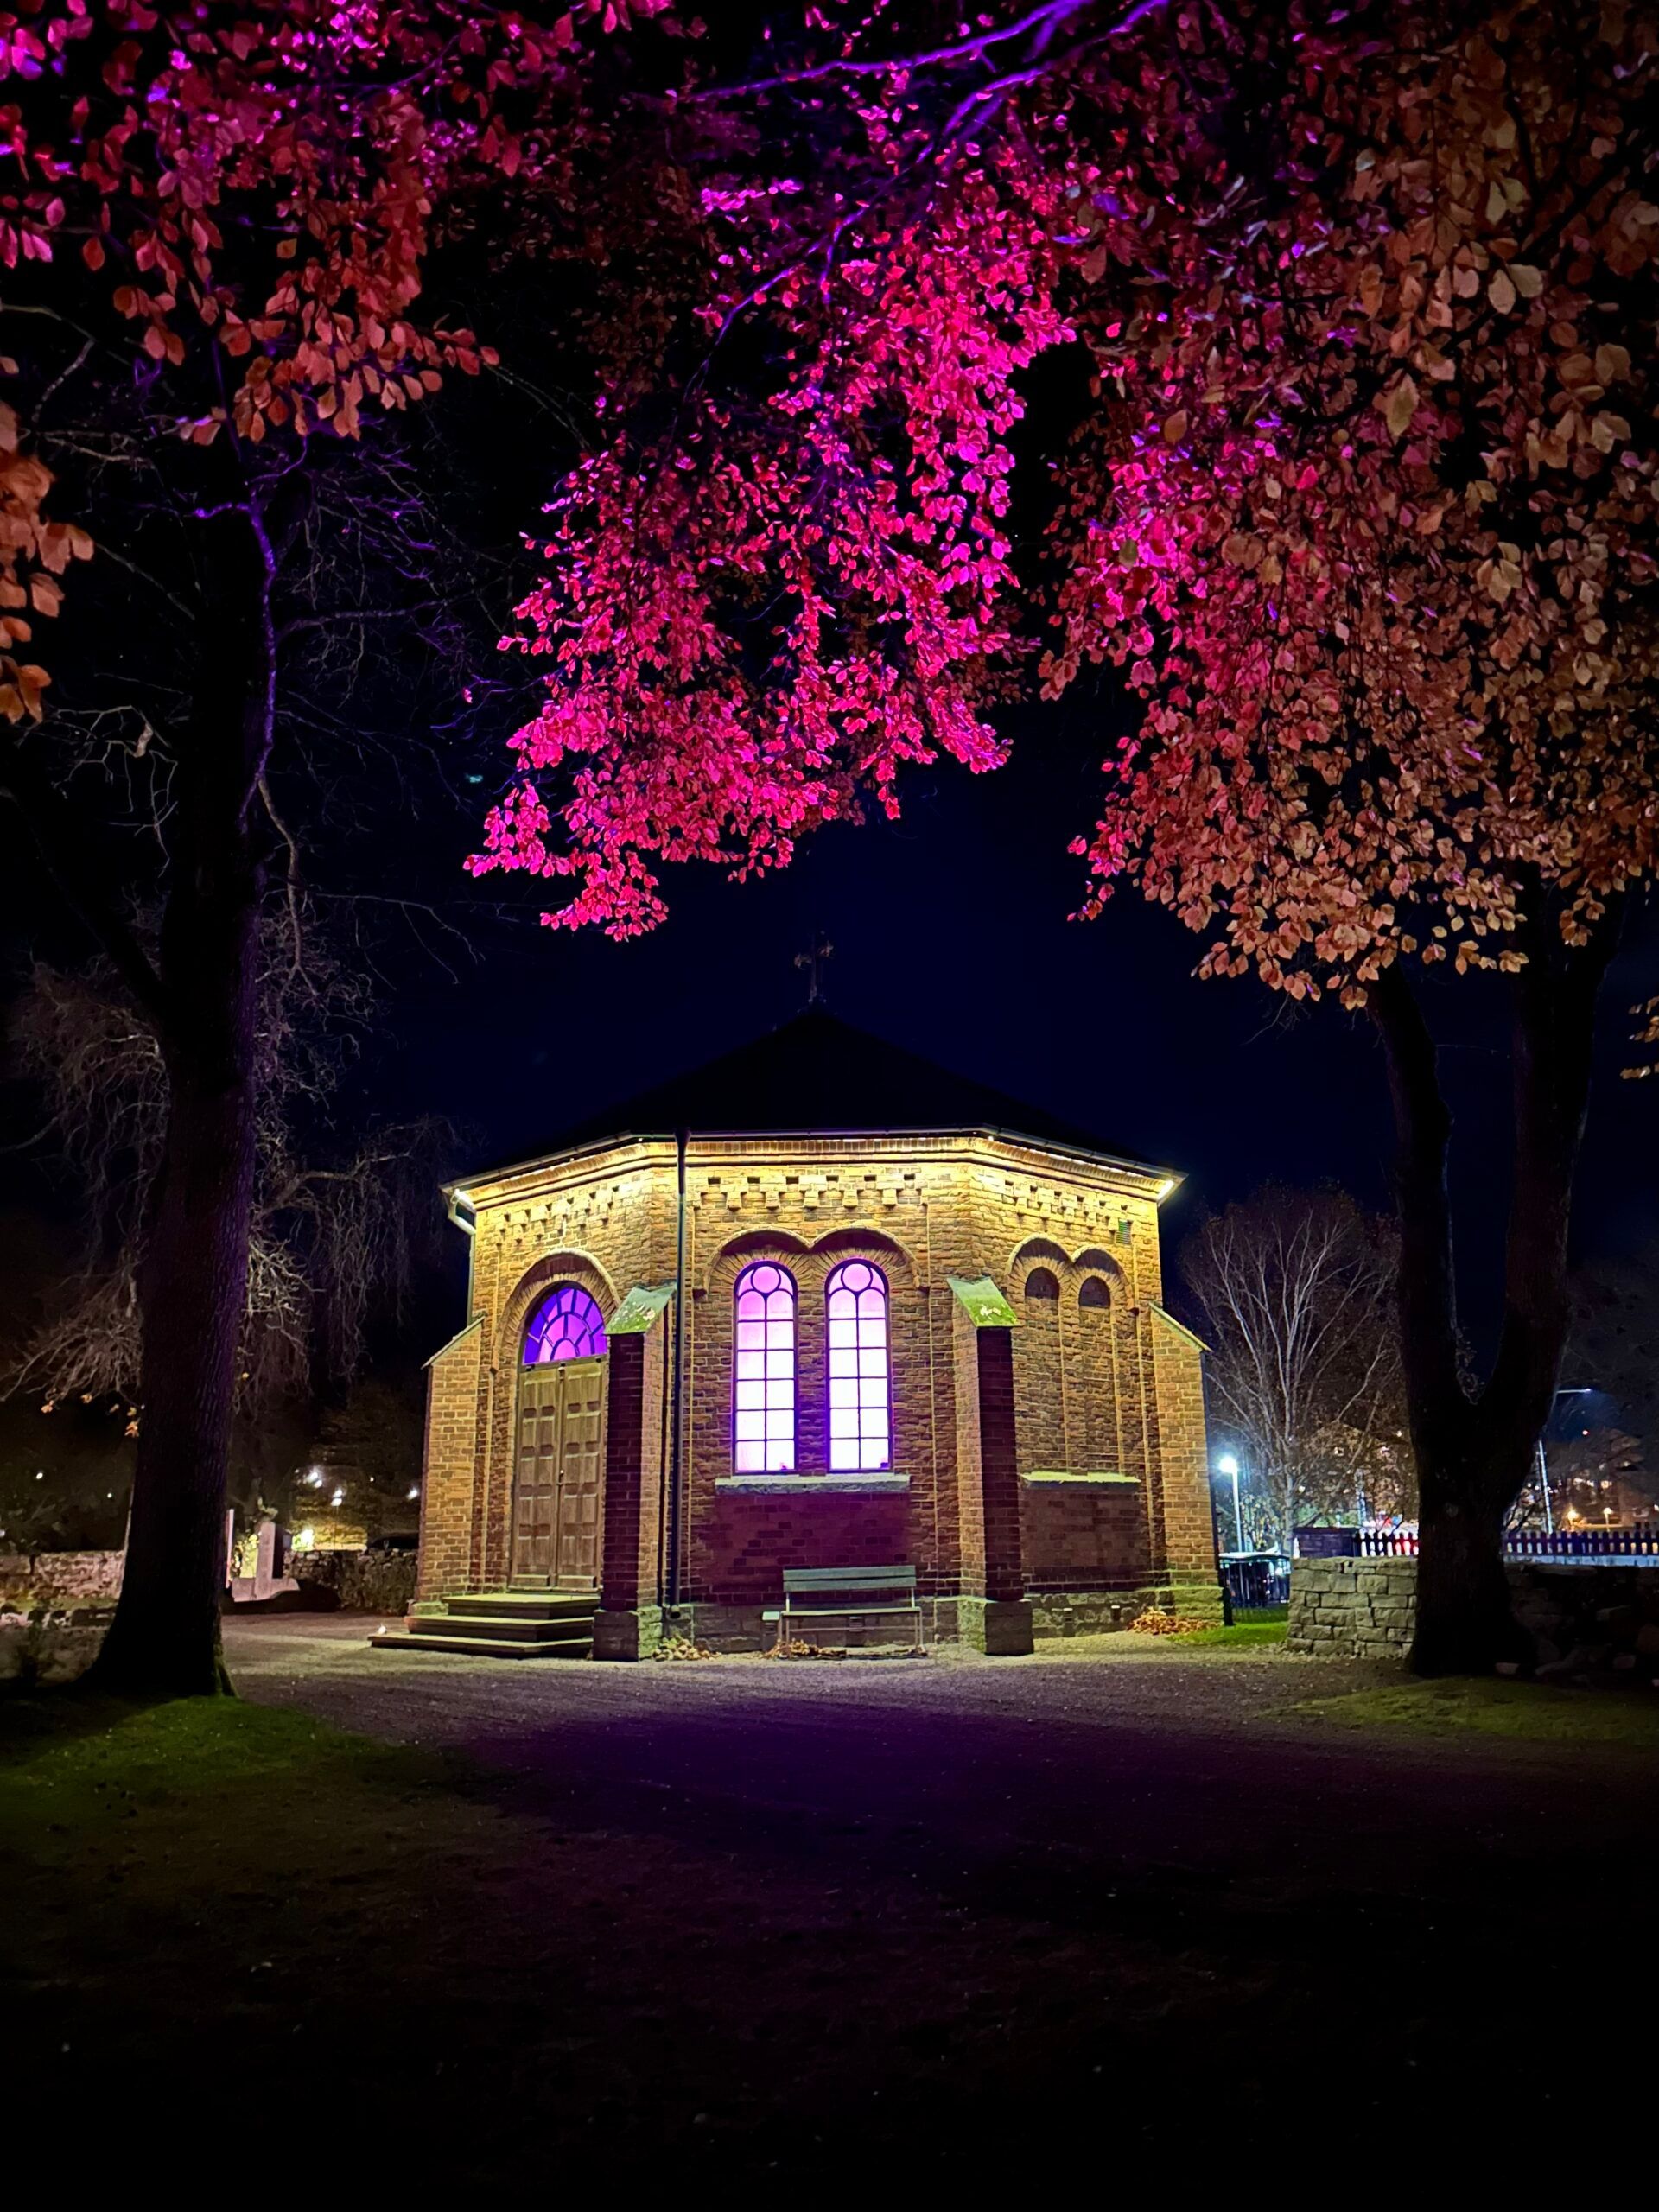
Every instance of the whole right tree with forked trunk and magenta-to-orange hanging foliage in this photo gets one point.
(1357, 490)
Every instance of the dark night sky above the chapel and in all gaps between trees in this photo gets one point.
(950, 928)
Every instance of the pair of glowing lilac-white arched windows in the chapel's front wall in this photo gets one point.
(764, 1370)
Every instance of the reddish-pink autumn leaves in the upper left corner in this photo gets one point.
(258, 185)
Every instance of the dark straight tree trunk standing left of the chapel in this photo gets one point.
(194, 1280)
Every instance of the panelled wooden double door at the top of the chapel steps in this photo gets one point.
(559, 1479)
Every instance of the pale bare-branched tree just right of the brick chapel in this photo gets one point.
(1293, 1295)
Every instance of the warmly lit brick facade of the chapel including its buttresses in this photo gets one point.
(1047, 1419)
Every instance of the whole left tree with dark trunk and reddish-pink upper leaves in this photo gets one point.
(220, 229)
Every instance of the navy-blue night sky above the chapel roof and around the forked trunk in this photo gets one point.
(952, 937)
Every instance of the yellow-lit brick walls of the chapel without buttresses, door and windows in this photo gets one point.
(1100, 1392)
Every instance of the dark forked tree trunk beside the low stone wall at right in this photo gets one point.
(1477, 1450)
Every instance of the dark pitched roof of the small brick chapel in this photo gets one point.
(822, 1074)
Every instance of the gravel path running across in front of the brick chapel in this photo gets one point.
(1094, 1755)
